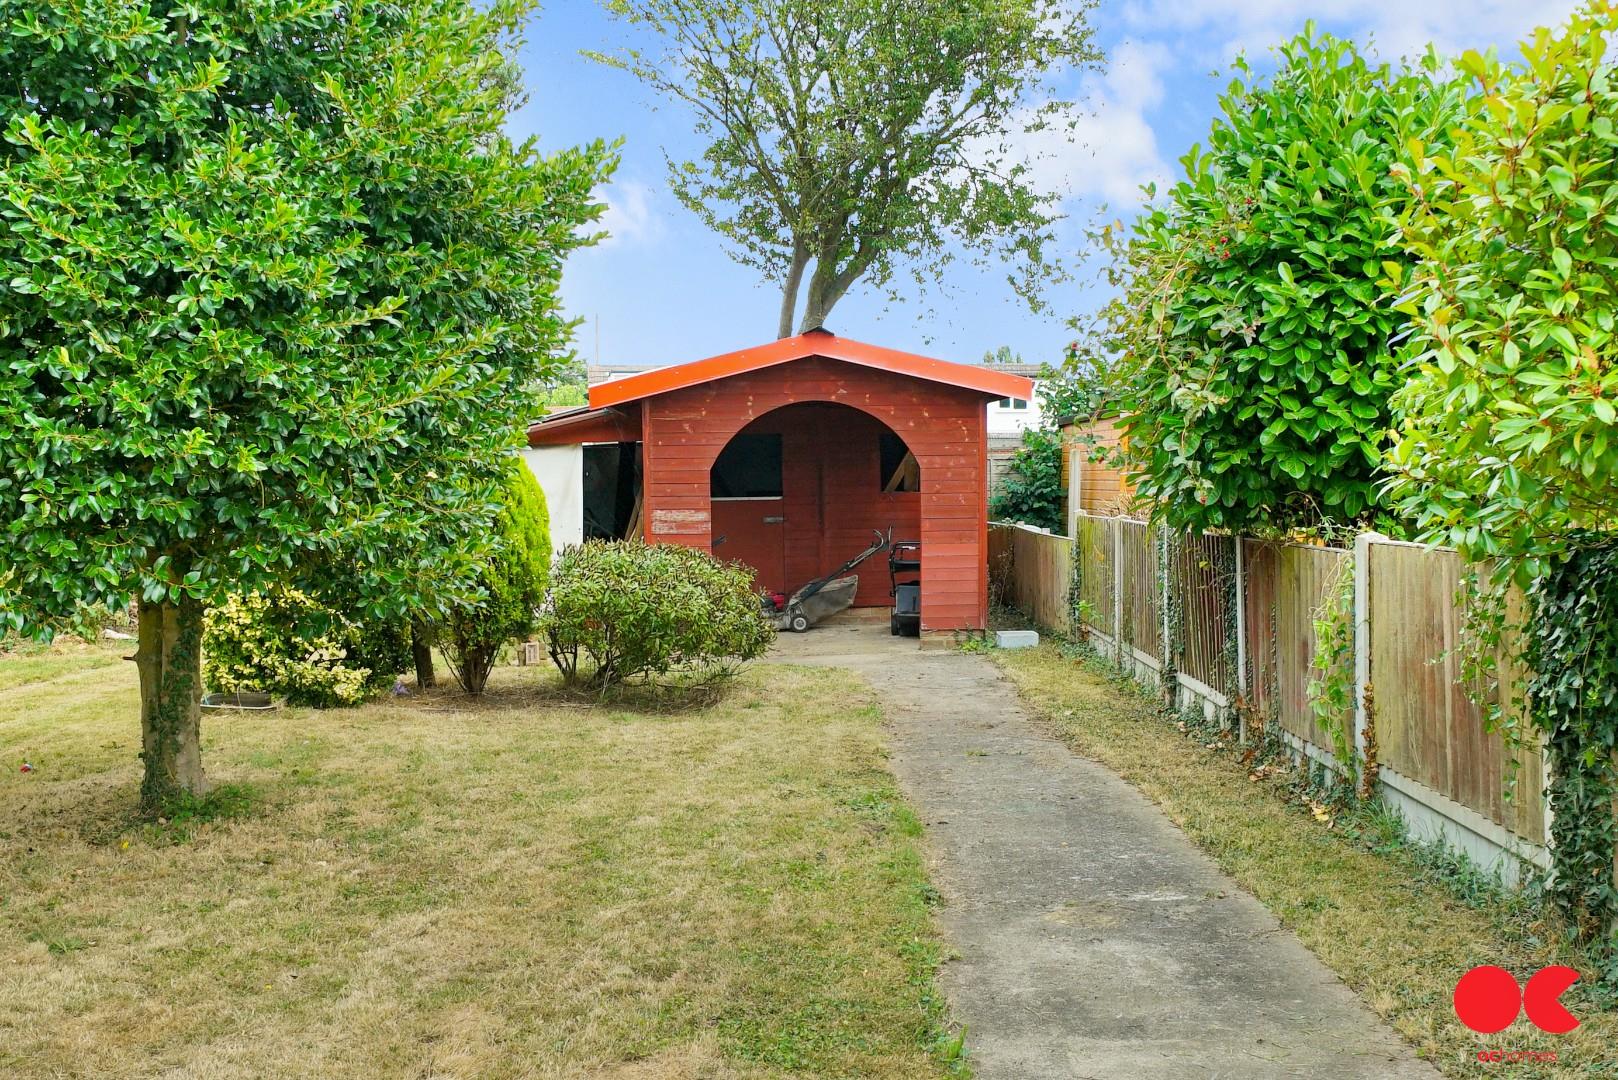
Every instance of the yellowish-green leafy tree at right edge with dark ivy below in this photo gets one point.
(1507, 440)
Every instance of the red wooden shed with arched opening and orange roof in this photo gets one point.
(789, 456)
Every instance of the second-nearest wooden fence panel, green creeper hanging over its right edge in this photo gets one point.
(1286, 585)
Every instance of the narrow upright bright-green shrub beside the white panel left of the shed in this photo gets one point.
(514, 585)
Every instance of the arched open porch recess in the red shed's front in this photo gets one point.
(805, 487)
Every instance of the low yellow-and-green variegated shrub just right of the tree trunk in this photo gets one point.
(292, 645)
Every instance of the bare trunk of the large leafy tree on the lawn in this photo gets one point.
(169, 657)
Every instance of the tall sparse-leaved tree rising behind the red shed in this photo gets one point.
(862, 135)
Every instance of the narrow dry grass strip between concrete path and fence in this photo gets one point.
(1384, 924)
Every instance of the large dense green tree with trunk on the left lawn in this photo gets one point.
(277, 286)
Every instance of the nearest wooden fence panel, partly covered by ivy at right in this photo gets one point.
(1428, 728)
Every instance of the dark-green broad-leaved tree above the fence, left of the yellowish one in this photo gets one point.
(1255, 362)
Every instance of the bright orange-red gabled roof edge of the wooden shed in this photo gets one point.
(658, 381)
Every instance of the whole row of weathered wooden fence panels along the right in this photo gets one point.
(1425, 721)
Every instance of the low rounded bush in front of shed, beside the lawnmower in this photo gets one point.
(622, 611)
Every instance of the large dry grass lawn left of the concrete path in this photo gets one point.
(433, 888)
